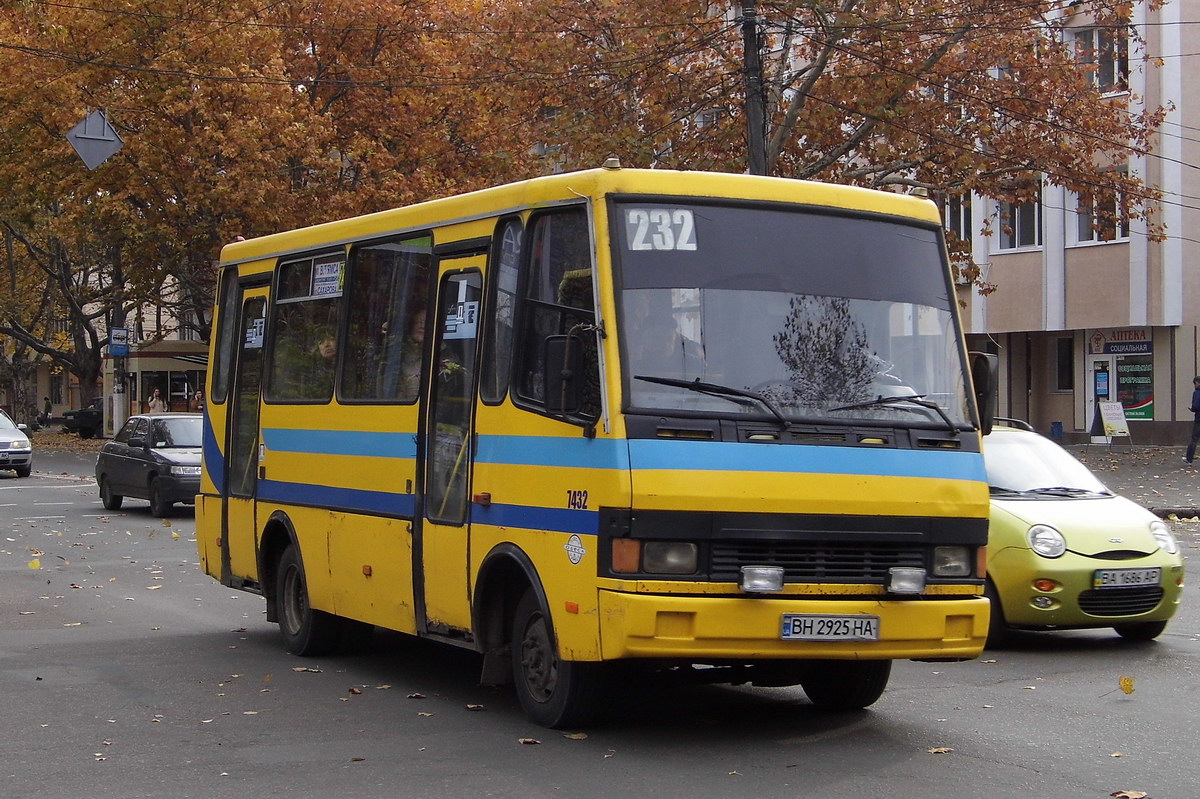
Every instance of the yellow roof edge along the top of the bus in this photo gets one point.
(591, 183)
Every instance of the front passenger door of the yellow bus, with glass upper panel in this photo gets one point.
(448, 452)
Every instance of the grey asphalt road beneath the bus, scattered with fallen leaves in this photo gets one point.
(125, 672)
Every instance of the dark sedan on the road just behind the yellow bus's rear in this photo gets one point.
(155, 458)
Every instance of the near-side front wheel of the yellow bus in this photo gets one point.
(554, 693)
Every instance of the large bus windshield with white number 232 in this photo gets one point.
(826, 317)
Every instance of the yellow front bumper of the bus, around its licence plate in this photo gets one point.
(698, 628)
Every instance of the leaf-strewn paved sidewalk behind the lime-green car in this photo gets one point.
(1155, 477)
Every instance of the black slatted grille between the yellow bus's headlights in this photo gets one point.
(814, 563)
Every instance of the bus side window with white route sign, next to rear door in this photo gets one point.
(305, 343)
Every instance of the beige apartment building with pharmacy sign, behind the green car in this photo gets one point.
(1081, 314)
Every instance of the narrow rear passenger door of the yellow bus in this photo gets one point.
(239, 558)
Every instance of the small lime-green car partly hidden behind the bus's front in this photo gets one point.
(1067, 554)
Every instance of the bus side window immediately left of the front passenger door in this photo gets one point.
(388, 289)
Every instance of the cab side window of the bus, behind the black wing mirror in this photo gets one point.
(559, 299)
